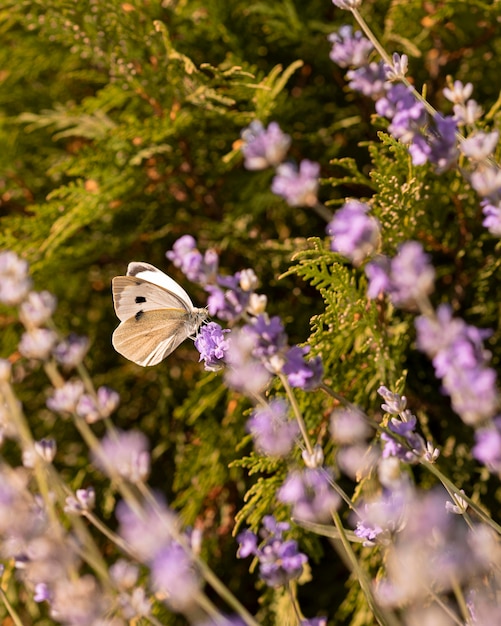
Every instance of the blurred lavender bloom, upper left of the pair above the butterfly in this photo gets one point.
(262, 147)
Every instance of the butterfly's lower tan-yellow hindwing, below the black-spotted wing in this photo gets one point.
(151, 335)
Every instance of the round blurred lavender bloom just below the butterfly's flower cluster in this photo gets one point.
(273, 433)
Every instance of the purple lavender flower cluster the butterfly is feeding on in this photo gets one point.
(261, 344)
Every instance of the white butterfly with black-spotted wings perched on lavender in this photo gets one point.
(155, 313)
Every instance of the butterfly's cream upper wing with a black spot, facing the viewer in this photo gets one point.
(132, 294)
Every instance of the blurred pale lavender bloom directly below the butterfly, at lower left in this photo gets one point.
(124, 454)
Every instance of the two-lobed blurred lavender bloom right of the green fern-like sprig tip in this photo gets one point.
(408, 278)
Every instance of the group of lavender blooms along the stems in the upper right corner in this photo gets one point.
(431, 137)
